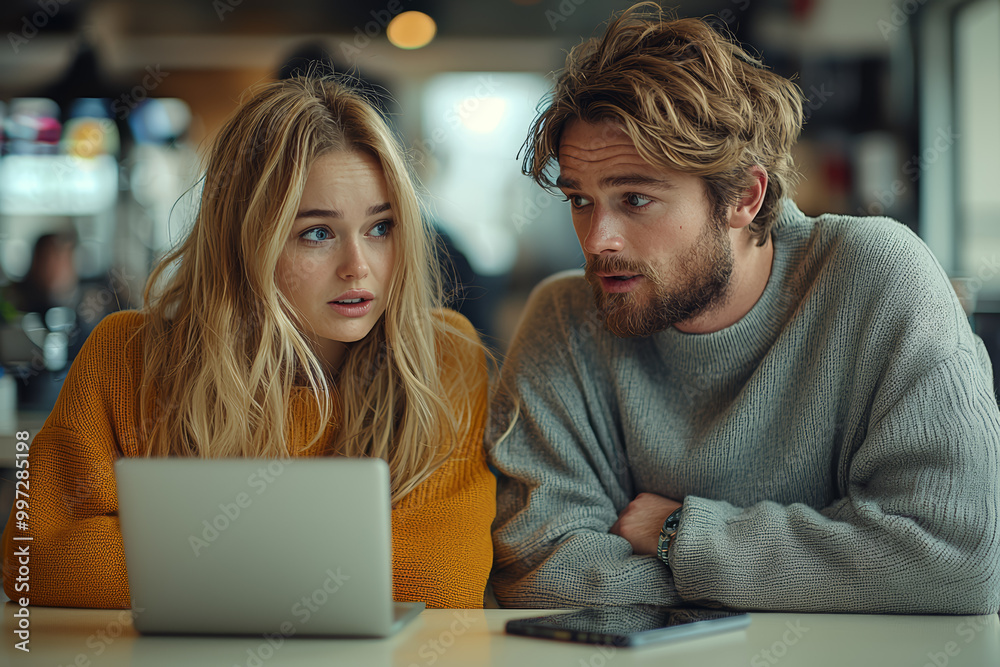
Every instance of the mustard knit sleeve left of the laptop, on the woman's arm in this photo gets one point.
(76, 557)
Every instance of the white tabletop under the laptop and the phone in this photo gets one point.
(443, 637)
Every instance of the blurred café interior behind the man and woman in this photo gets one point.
(108, 107)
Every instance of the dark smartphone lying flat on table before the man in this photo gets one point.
(629, 625)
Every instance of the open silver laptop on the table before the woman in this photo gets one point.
(252, 546)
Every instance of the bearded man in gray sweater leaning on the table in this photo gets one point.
(735, 404)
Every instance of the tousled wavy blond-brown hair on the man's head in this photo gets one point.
(690, 100)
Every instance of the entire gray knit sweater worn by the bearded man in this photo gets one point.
(835, 450)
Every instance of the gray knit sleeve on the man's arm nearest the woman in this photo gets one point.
(562, 479)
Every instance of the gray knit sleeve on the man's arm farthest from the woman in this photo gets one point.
(916, 528)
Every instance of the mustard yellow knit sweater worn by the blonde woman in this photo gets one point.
(442, 551)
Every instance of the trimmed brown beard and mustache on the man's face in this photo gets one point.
(698, 282)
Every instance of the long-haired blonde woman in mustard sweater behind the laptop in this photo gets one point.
(299, 318)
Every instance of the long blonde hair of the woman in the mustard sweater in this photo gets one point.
(222, 351)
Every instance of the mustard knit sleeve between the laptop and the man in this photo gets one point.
(442, 552)
